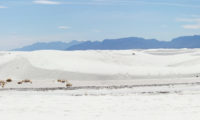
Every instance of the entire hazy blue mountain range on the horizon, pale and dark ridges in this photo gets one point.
(118, 44)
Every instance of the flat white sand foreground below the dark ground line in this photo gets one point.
(102, 104)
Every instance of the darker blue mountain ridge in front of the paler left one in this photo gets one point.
(138, 43)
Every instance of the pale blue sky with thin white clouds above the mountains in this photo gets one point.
(24, 22)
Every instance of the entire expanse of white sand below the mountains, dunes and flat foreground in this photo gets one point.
(150, 85)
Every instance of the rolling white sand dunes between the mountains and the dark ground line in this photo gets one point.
(85, 68)
